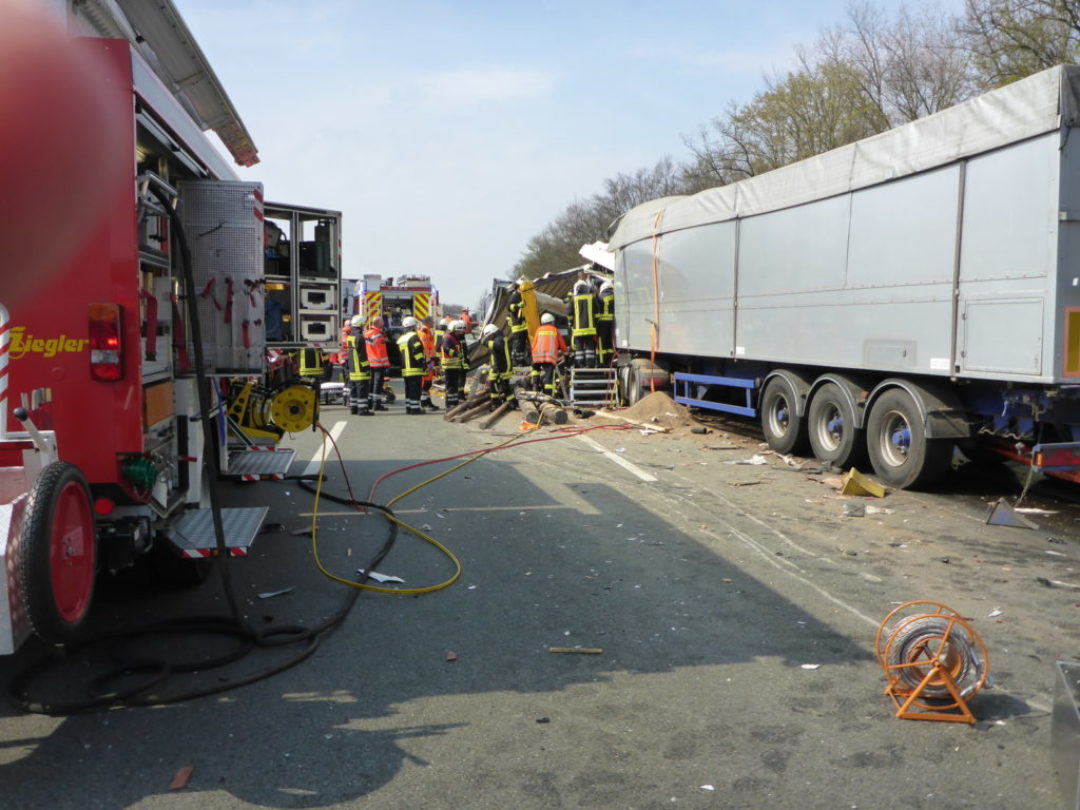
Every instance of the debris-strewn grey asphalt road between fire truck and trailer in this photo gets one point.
(734, 609)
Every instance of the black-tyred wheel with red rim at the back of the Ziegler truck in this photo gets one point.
(59, 557)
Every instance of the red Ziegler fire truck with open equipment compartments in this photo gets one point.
(110, 434)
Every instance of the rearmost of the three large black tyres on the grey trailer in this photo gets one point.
(900, 452)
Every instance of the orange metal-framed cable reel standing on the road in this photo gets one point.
(934, 661)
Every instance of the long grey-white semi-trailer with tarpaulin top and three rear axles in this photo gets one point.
(887, 300)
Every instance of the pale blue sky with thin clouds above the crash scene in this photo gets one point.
(451, 133)
